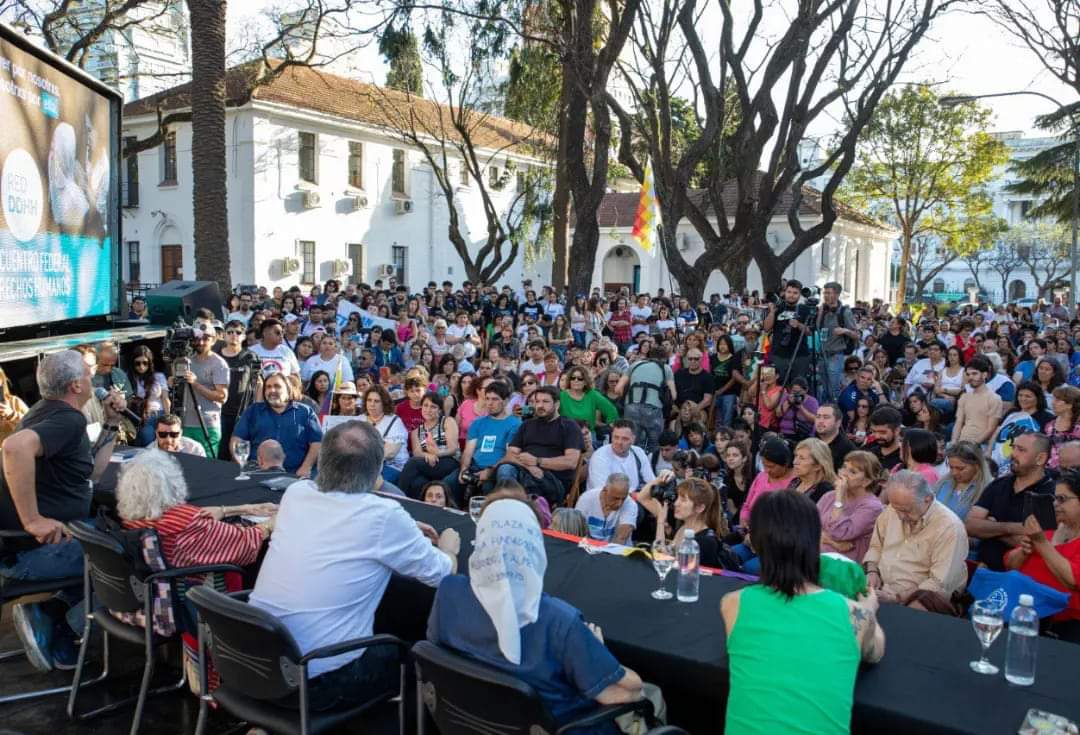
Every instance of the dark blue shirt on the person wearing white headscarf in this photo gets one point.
(561, 658)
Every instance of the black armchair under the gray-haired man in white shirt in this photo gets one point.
(262, 671)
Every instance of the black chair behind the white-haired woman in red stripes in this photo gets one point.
(118, 583)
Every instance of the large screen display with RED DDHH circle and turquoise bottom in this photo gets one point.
(57, 195)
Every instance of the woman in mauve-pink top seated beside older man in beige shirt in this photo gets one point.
(849, 512)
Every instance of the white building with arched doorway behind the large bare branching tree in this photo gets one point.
(855, 254)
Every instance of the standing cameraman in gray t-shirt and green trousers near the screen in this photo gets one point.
(209, 377)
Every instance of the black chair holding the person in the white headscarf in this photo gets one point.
(466, 698)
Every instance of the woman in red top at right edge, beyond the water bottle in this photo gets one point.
(1054, 557)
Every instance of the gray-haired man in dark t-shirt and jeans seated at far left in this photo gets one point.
(48, 468)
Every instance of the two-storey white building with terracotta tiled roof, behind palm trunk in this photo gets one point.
(319, 188)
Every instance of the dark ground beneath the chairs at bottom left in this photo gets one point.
(167, 714)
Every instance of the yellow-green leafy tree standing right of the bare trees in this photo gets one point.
(924, 168)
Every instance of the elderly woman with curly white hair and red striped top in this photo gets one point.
(152, 494)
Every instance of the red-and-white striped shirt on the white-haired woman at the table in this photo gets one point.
(190, 539)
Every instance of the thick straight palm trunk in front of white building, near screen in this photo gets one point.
(208, 143)
